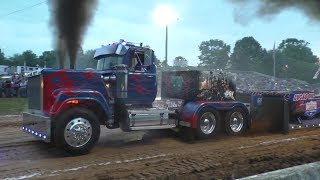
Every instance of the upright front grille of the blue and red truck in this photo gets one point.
(34, 92)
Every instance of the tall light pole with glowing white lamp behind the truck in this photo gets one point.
(164, 15)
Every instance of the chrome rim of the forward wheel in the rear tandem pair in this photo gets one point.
(207, 123)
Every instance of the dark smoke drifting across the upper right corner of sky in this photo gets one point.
(269, 8)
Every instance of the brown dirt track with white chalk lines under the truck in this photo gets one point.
(155, 155)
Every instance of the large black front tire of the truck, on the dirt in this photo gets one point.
(66, 120)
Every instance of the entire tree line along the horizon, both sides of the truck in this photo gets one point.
(293, 58)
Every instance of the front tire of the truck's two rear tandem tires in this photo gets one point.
(208, 124)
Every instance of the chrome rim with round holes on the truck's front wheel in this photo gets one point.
(78, 132)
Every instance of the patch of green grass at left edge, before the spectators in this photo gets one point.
(12, 105)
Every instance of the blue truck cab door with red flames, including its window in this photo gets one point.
(142, 83)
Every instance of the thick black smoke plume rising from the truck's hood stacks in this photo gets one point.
(70, 19)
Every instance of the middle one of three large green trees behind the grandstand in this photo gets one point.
(247, 54)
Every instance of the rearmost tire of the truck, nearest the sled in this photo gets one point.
(241, 122)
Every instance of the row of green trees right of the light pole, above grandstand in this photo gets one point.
(293, 58)
